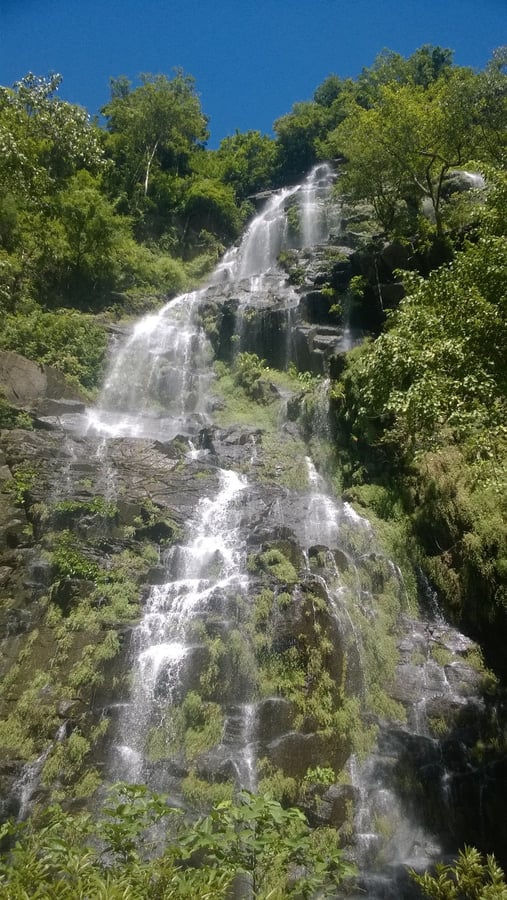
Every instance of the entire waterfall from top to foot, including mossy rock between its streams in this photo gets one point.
(273, 613)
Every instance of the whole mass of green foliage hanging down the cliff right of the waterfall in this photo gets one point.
(422, 409)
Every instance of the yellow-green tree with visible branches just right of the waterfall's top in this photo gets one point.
(401, 149)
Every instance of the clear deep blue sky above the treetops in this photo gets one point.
(251, 60)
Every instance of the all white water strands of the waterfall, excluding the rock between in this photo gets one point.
(159, 386)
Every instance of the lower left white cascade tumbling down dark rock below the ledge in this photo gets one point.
(202, 571)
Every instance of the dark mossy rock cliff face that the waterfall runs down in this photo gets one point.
(186, 602)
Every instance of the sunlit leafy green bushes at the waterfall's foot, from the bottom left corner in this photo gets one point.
(58, 856)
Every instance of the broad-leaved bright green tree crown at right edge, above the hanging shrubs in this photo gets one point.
(439, 367)
